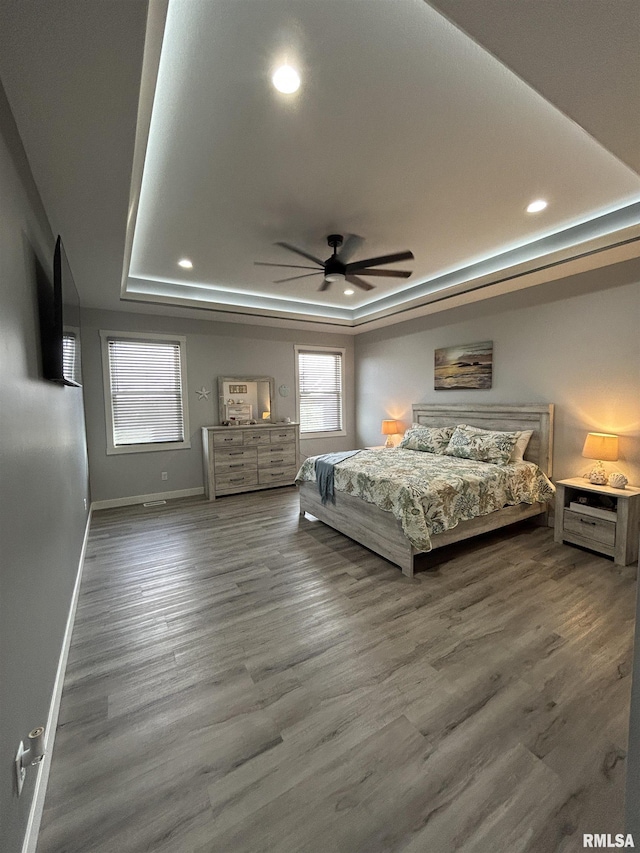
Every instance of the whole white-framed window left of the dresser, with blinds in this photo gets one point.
(144, 387)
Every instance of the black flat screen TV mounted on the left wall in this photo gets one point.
(61, 338)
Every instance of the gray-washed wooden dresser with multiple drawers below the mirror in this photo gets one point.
(246, 458)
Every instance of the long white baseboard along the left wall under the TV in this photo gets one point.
(37, 803)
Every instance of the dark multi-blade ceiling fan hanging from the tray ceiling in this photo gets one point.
(337, 268)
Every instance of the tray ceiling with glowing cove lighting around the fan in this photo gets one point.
(405, 131)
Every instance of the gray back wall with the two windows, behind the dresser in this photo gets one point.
(213, 349)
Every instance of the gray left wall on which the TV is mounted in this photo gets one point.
(43, 484)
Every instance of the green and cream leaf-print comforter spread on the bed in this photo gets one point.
(429, 493)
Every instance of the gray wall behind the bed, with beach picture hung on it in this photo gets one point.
(574, 342)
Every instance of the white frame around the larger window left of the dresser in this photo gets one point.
(117, 449)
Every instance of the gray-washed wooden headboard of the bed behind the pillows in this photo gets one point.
(535, 416)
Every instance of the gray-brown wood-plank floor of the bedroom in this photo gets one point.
(242, 680)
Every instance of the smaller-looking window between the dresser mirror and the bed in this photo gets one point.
(320, 396)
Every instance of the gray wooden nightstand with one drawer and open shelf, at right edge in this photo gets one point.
(612, 532)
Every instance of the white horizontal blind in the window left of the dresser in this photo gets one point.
(146, 392)
